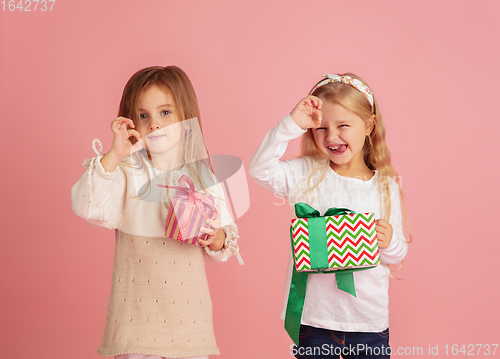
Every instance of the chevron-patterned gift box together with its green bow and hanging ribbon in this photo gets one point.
(339, 242)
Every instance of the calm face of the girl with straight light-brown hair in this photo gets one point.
(159, 121)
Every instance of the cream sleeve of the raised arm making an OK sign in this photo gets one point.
(99, 196)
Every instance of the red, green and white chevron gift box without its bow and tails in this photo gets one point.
(350, 242)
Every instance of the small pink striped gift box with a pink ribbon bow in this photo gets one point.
(188, 211)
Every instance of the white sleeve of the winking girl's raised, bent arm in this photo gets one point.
(265, 165)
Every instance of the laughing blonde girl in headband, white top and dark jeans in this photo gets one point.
(345, 162)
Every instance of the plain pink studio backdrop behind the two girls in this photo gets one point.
(432, 65)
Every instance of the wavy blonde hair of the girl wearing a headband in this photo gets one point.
(375, 150)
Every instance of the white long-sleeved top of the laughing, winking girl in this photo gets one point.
(325, 305)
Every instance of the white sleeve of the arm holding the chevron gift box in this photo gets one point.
(398, 247)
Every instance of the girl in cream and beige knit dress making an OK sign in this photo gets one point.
(160, 304)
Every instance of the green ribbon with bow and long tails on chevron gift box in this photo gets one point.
(319, 260)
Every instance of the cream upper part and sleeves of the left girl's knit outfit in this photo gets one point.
(118, 200)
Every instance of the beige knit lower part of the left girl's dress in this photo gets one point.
(160, 302)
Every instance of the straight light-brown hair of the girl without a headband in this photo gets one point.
(174, 81)
